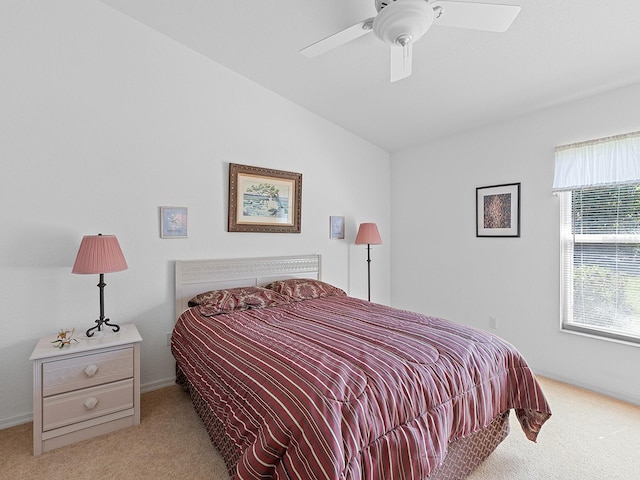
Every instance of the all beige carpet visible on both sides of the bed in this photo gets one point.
(588, 437)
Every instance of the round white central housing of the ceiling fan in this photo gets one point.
(403, 21)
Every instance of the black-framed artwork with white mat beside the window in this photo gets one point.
(498, 210)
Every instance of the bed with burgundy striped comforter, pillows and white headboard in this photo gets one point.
(300, 381)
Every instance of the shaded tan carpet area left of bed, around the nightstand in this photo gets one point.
(170, 443)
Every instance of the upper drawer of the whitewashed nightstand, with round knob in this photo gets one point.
(86, 371)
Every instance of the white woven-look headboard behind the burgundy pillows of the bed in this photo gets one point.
(197, 276)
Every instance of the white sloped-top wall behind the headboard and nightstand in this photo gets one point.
(104, 120)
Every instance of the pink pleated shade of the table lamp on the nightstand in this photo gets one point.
(99, 254)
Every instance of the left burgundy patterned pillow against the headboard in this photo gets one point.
(216, 302)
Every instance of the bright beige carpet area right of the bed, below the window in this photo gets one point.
(589, 437)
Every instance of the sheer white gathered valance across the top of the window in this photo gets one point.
(606, 161)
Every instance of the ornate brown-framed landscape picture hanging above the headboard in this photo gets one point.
(264, 200)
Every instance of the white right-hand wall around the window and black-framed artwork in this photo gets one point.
(439, 267)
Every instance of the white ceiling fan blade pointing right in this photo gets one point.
(477, 16)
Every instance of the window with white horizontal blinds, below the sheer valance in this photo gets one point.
(601, 261)
